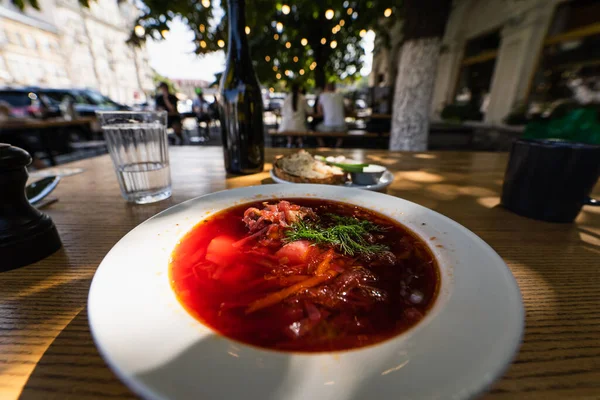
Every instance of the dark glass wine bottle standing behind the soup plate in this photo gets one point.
(240, 104)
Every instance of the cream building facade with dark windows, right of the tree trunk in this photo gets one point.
(502, 54)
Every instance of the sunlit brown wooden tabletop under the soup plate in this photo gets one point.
(47, 352)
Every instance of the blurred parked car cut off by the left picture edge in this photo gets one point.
(26, 102)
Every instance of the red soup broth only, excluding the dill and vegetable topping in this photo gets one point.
(217, 283)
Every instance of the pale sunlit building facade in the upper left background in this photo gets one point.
(66, 45)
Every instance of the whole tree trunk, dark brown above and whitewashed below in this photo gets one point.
(424, 25)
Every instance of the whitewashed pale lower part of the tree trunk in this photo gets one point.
(413, 94)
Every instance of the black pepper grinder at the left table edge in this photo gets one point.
(26, 234)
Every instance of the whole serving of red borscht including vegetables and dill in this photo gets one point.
(304, 275)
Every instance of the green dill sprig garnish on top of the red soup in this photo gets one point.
(347, 234)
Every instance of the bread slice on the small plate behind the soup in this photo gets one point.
(301, 167)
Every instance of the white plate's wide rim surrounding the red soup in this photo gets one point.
(161, 352)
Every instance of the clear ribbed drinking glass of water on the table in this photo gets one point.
(137, 143)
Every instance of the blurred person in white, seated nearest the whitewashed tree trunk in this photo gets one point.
(331, 106)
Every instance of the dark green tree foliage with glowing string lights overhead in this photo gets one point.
(292, 39)
